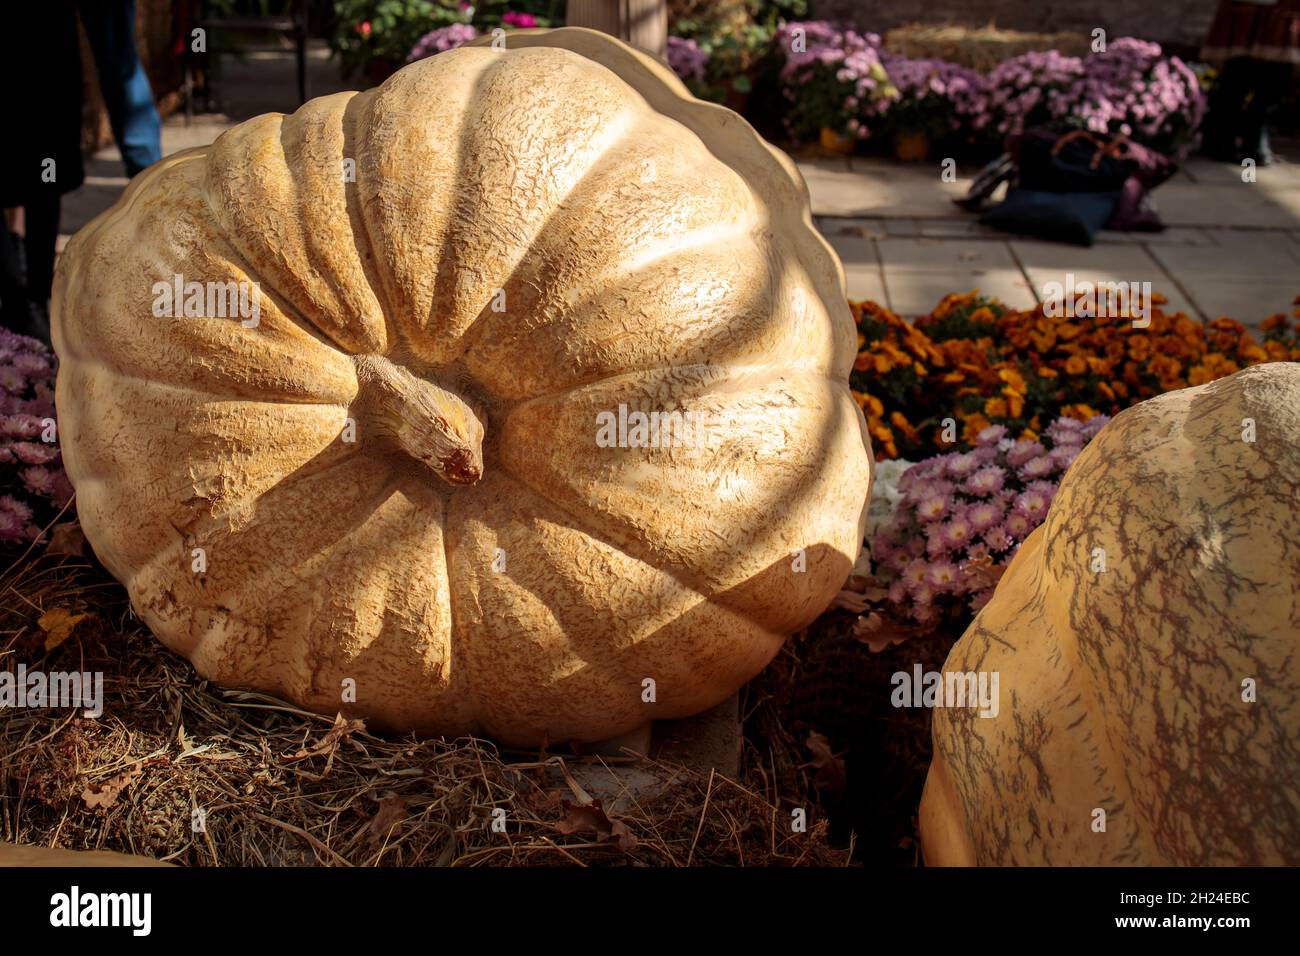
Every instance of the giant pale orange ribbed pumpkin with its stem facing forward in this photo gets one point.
(402, 470)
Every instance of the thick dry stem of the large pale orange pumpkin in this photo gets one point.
(430, 423)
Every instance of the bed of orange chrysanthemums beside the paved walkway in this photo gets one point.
(973, 364)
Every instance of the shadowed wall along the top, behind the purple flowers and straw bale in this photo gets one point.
(1181, 24)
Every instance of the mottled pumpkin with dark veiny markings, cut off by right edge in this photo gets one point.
(1147, 641)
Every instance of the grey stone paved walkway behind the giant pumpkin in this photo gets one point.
(1232, 249)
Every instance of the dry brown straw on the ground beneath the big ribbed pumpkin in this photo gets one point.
(279, 786)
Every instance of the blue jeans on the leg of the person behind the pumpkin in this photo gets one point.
(111, 29)
